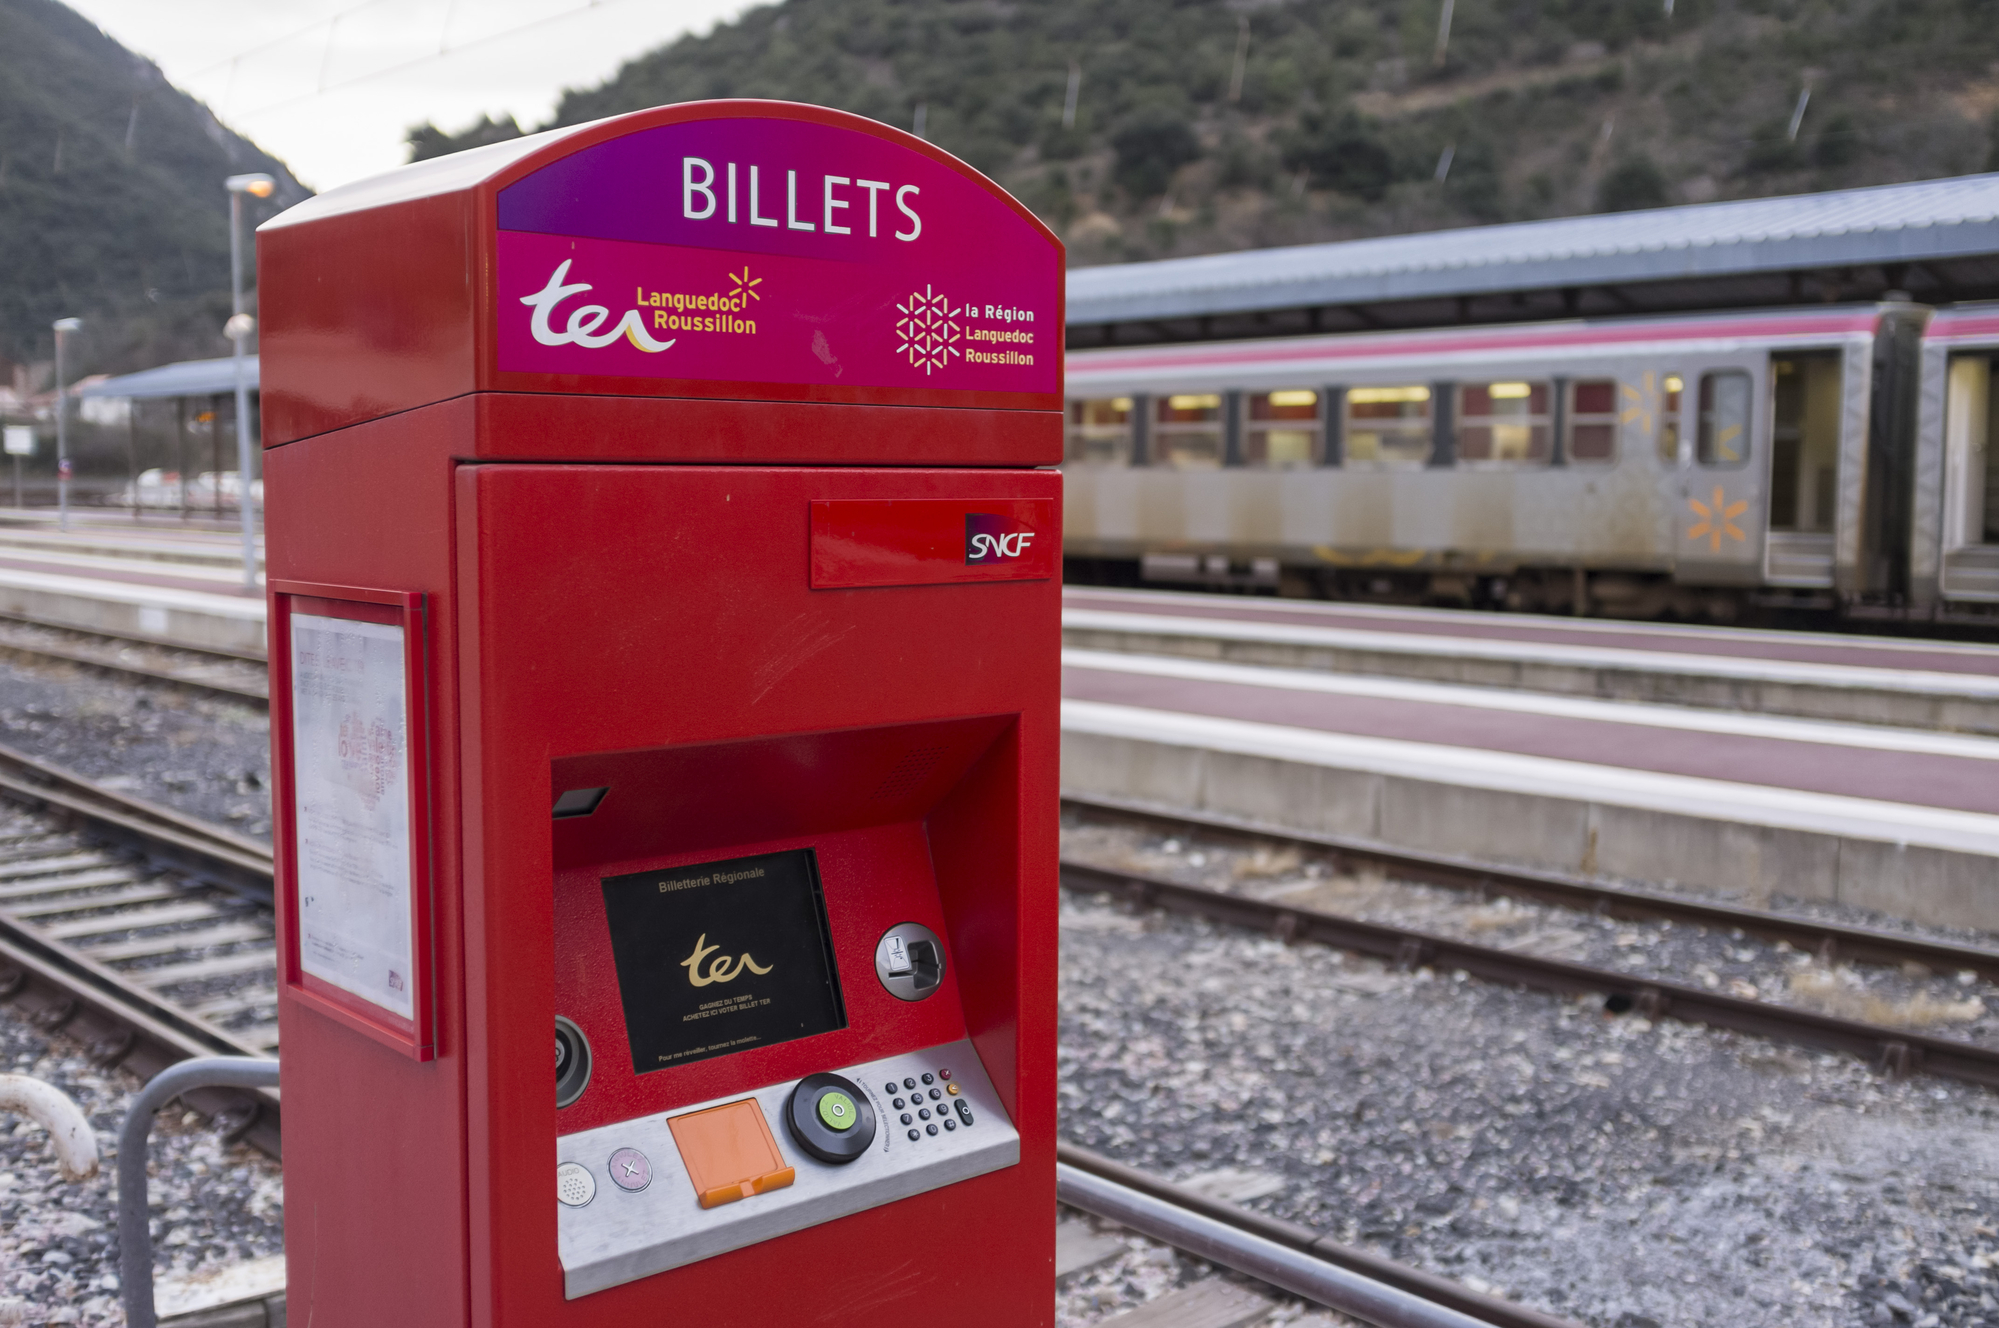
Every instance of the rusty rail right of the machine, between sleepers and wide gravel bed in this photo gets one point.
(1894, 1051)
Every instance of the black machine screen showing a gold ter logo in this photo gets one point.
(723, 957)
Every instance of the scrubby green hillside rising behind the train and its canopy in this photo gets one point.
(1224, 125)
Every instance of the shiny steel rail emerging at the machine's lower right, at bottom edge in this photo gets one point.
(1426, 1287)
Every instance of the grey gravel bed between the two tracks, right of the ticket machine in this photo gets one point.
(1606, 1169)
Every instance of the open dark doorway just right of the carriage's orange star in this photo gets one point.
(1804, 469)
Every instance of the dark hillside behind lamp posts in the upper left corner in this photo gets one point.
(111, 199)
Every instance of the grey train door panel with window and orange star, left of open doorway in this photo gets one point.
(1720, 523)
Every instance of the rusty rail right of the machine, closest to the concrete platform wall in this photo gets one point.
(1830, 941)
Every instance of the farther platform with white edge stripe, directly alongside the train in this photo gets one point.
(1850, 679)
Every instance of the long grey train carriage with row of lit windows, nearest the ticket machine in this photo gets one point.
(1648, 467)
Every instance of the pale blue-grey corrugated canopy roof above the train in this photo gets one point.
(1938, 239)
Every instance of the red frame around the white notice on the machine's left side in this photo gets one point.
(415, 1037)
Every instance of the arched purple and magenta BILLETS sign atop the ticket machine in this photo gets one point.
(775, 251)
